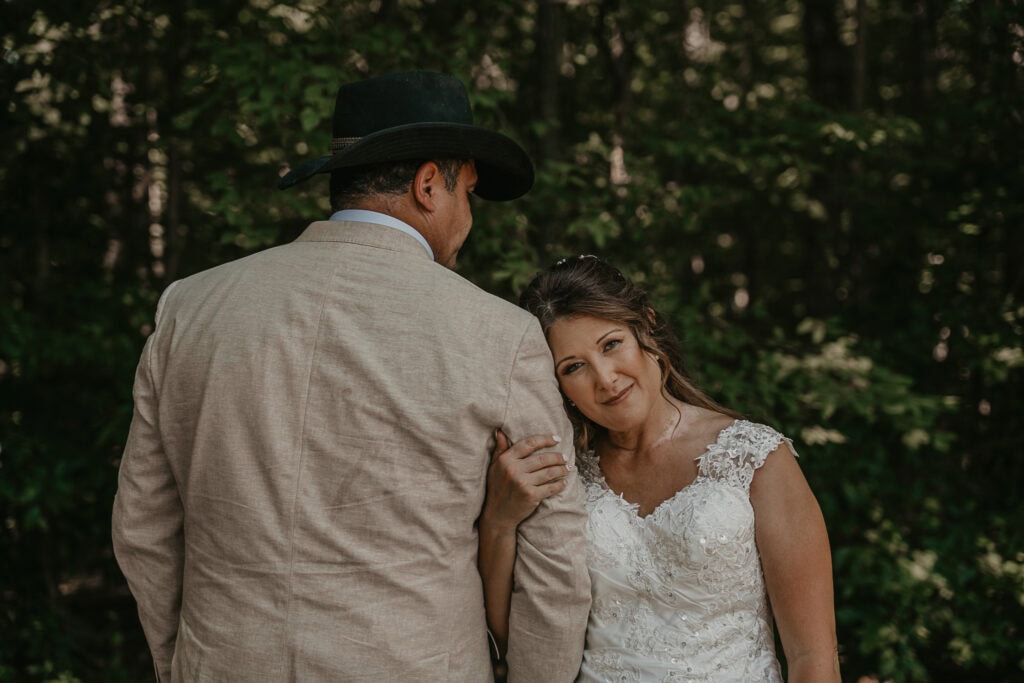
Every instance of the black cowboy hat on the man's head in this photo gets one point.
(418, 116)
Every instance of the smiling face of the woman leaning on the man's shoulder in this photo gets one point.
(602, 369)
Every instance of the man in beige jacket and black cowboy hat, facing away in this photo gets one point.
(298, 494)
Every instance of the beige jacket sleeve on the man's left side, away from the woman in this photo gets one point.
(148, 519)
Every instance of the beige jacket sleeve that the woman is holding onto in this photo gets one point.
(551, 586)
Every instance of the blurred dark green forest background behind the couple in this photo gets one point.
(826, 197)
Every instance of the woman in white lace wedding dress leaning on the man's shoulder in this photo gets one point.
(702, 530)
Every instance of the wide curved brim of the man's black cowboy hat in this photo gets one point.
(503, 168)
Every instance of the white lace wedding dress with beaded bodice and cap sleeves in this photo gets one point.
(679, 594)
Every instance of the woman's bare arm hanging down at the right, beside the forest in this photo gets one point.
(797, 563)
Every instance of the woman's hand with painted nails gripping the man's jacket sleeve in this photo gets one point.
(520, 478)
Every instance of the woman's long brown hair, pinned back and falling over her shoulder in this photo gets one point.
(588, 286)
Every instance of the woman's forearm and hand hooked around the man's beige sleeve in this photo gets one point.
(518, 481)
